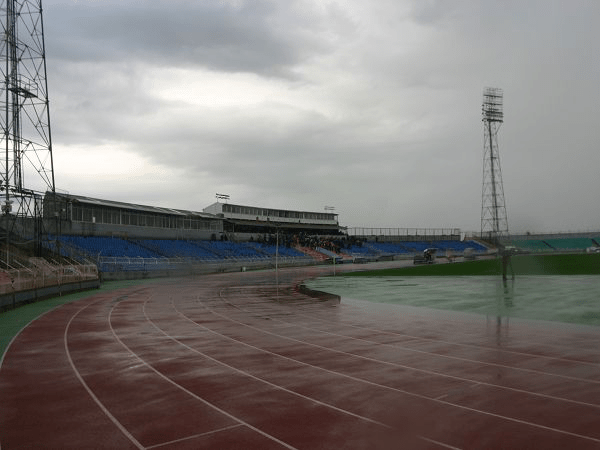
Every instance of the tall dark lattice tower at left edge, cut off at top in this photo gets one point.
(26, 164)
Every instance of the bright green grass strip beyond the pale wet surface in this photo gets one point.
(549, 264)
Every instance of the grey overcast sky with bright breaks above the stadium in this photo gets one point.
(373, 107)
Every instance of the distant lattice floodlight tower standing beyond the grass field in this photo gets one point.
(494, 222)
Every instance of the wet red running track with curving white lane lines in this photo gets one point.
(231, 361)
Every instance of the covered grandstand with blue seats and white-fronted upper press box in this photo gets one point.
(123, 237)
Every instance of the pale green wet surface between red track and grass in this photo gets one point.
(557, 298)
